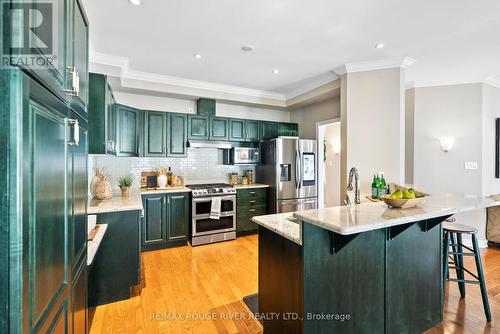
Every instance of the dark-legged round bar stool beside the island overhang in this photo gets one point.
(453, 238)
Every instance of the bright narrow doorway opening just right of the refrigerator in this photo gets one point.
(329, 162)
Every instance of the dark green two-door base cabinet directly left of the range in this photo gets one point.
(166, 220)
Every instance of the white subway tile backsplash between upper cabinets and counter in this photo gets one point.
(202, 165)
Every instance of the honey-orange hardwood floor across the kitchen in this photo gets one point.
(185, 284)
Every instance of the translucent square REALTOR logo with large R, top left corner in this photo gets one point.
(30, 36)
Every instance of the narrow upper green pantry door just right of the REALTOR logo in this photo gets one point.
(80, 59)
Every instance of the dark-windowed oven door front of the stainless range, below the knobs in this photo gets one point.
(204, 225)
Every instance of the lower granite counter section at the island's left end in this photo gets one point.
(282, 223)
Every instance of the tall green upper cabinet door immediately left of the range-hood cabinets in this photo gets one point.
(177, 135)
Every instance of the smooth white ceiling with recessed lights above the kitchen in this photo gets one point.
(452, 41)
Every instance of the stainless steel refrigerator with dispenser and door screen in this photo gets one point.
(288, 166)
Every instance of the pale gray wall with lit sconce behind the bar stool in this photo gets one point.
(455, 111)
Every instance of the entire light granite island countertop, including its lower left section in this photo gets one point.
(370, 216)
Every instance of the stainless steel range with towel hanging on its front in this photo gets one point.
(205, 230)
